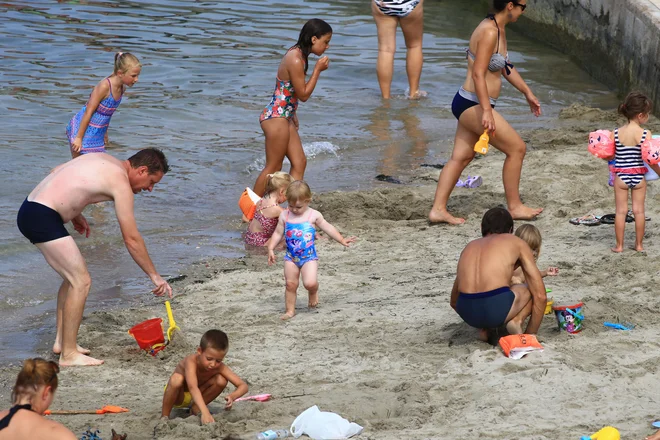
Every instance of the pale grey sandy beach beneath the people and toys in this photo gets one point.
(384, 348)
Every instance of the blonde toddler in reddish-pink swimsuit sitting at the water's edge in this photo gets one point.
(268, 209)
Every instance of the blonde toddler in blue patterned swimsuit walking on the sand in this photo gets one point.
(298, 225)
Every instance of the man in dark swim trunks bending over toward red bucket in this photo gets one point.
(60, 198)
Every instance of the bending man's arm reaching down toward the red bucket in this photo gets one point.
(123, 198)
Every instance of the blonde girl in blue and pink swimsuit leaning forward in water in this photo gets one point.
(88, 129)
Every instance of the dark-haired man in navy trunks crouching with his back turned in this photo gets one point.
(482, 294)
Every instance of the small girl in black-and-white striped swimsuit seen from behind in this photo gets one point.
(629, 167)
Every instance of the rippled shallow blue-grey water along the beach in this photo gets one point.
(209, 69)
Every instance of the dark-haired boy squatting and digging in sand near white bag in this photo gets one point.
(199, 378)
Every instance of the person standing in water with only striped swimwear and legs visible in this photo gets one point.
(410, 15)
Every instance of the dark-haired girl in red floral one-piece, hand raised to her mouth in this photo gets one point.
(279, 121)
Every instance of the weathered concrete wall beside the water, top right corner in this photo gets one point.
(616, 41)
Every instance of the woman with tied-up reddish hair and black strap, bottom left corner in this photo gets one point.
(33, 394)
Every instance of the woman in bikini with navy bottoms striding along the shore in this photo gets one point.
(474, 106)
